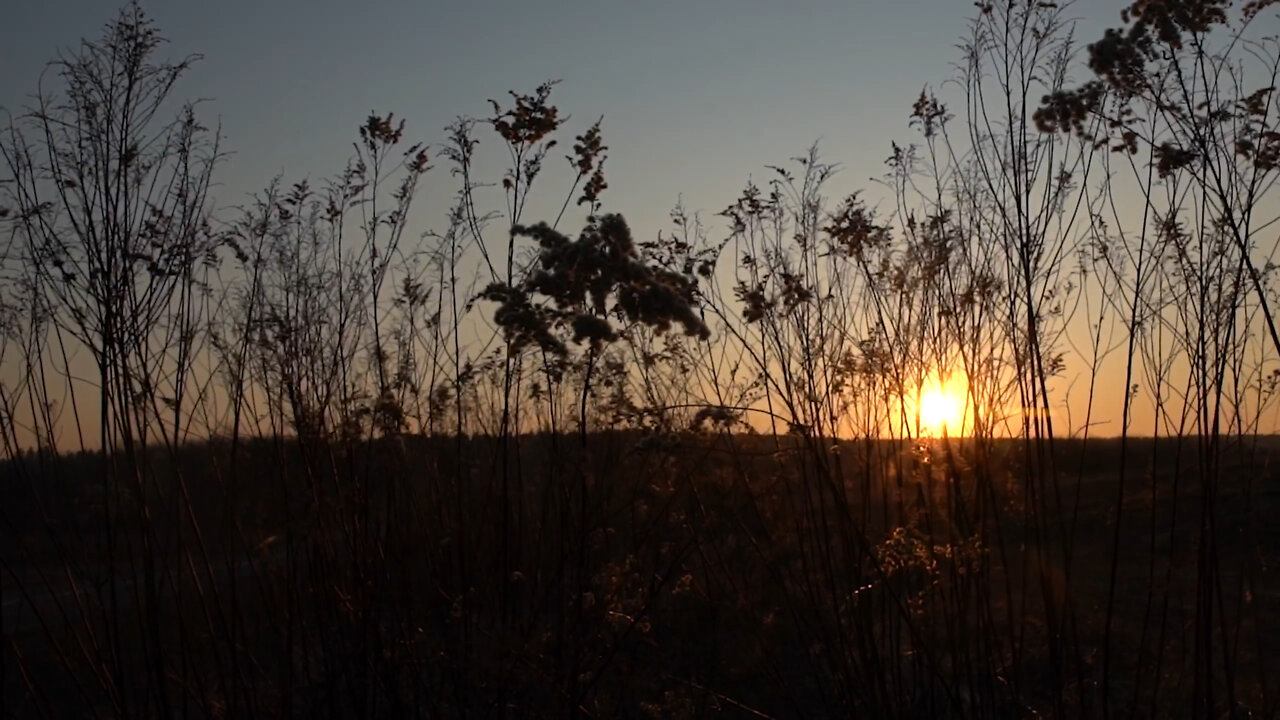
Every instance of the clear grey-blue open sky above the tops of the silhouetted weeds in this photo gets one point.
(696, 95)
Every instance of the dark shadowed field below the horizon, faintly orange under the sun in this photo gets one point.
(703, 575)
